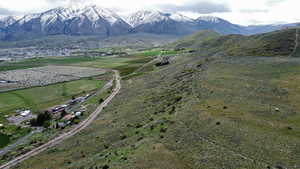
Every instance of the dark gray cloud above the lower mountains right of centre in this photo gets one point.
(203, 7)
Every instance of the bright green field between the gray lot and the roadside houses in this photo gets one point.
(40, 98)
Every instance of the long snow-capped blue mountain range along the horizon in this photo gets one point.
(93, 20)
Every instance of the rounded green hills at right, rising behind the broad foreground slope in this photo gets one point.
(278, 43)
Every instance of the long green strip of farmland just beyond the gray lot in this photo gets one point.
(125, 64)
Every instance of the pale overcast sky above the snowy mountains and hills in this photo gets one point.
(243, 12)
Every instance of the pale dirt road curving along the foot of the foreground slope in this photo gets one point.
(71, 133)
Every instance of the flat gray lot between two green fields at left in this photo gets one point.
(44, 76)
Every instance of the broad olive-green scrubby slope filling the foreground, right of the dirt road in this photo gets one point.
(197, 113)
